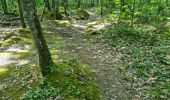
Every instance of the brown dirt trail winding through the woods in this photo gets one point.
(106, 61)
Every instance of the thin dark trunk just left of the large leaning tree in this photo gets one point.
(21, 14)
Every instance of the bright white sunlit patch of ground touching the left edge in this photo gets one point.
(5, 58)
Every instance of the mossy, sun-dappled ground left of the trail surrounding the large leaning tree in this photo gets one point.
(21, 79)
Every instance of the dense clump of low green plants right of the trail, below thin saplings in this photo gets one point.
(122, 32)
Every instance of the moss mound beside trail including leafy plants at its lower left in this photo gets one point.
(68, 86)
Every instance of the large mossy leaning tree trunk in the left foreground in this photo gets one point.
(45, 60)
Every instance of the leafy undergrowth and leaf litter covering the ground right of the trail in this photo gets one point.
(146, 58)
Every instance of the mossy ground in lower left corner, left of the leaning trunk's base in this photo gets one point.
(19, 80)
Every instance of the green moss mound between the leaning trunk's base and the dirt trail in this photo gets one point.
(75, 85)
